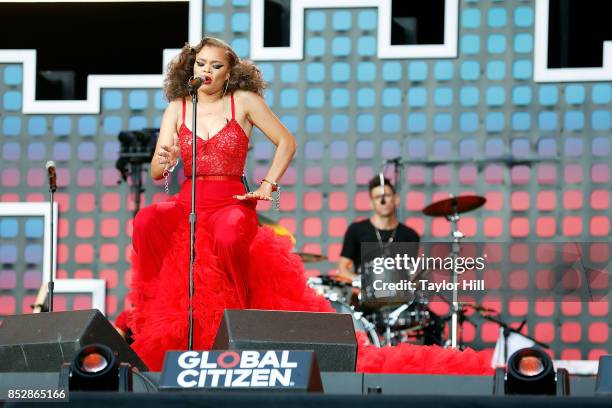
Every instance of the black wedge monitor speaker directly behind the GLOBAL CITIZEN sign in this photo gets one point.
(330, 335)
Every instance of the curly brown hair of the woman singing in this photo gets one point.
(244, 74)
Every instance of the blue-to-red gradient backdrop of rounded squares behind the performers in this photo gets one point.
(455, 120)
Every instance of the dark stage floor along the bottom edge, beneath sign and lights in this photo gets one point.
(351, 390)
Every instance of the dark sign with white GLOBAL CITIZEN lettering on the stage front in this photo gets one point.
(240, 369)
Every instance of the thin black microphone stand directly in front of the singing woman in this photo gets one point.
(192, 215)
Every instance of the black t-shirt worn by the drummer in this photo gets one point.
(363, 231)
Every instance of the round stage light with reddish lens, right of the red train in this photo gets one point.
(531, 371)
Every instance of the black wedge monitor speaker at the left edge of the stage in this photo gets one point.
(44, 341)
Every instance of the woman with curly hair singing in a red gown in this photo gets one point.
(237, 263)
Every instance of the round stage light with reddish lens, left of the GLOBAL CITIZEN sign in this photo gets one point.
(96, 368)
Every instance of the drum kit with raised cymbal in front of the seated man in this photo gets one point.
(410, 321)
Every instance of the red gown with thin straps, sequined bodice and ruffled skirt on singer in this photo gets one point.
(238, 264)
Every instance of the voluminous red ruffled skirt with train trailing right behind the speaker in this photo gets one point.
(237, 265)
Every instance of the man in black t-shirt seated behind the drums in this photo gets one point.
(381, 227)
